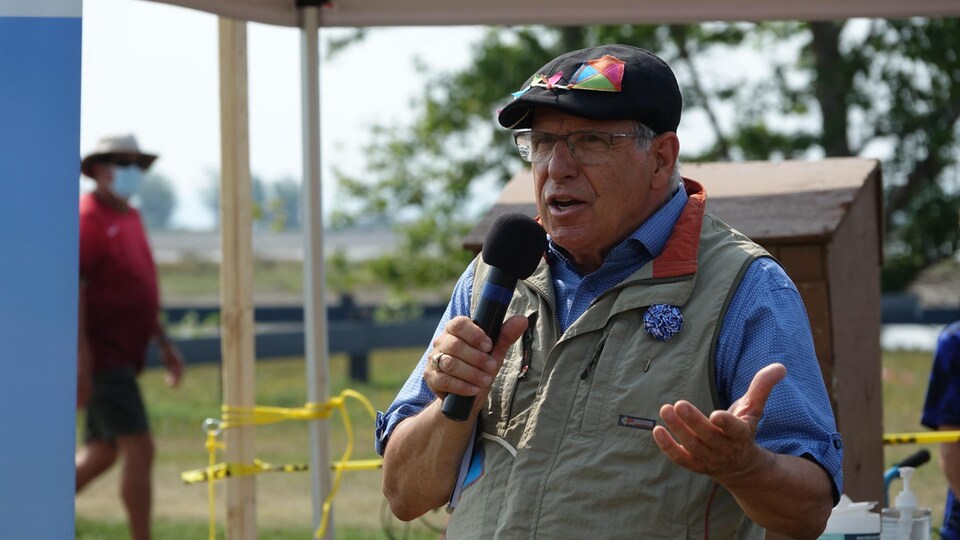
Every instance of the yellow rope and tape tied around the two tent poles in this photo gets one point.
(260, 415)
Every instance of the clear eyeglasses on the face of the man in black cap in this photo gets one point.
(587, 147)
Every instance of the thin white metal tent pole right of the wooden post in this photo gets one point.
(315, 306)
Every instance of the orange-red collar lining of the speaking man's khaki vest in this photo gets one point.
(679, 257)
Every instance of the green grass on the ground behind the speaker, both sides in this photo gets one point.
(283, 499)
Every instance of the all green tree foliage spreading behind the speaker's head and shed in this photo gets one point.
(835, 88)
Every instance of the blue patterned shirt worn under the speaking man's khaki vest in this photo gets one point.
(765, 323)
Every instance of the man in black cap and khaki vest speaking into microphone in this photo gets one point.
(598, 126)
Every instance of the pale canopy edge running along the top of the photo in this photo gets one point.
(564, 12)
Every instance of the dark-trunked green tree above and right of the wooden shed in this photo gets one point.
(892, 83)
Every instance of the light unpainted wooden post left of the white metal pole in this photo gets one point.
(236, 271)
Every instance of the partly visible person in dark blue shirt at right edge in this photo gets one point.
(941, 411)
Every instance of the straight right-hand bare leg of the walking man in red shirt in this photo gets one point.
(135, 485)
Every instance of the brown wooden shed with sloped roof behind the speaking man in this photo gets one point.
(823, 221)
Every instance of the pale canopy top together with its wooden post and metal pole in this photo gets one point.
(235, 281)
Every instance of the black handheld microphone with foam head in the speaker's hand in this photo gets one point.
(512, 249)
